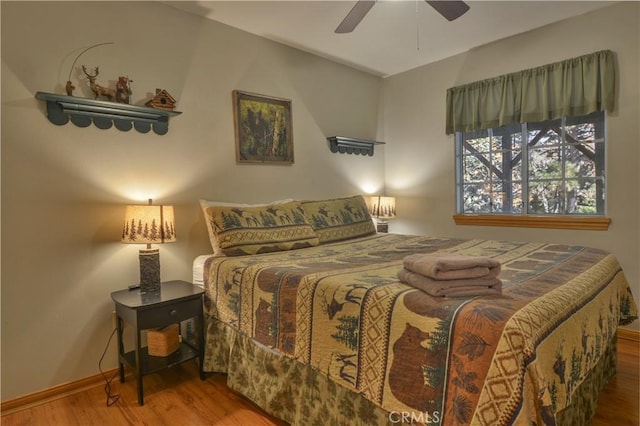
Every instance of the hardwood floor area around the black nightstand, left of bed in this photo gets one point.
(175, 396)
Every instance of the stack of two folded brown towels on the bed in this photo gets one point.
(452, 275)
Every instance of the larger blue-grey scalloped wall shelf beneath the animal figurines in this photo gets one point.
(83, 111)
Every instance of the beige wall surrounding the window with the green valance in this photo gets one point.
(420, 157)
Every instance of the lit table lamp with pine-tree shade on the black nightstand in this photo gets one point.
(149, 224)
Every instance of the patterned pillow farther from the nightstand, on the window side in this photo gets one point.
(339, 219)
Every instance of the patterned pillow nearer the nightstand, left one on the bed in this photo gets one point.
(260, 229)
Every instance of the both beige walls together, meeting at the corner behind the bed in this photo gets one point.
(64, 188)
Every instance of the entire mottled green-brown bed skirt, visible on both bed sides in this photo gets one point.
(300, 395)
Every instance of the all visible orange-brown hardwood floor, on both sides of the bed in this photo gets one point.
(178, 397)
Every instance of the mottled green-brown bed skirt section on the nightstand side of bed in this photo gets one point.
(284, 388)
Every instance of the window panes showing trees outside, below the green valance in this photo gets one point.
(553, 167)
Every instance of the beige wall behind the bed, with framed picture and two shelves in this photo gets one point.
(64, 188)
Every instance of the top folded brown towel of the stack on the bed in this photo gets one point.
(445, 266)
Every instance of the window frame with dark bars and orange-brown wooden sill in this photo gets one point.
(597, 221)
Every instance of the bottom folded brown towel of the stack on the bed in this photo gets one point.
(452, 288)
